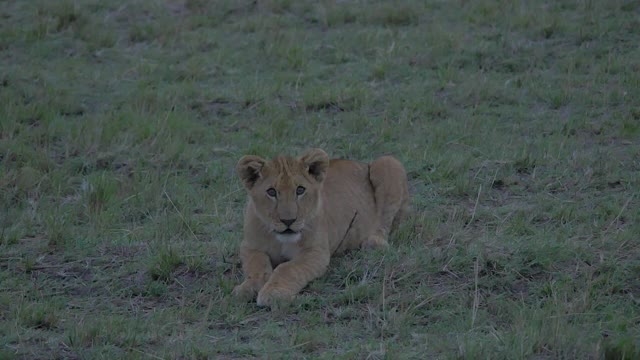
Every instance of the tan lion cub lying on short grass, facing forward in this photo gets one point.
(300, 211)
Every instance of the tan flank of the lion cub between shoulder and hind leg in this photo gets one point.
(347, 191)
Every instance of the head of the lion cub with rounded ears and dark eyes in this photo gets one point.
(285, 191)
